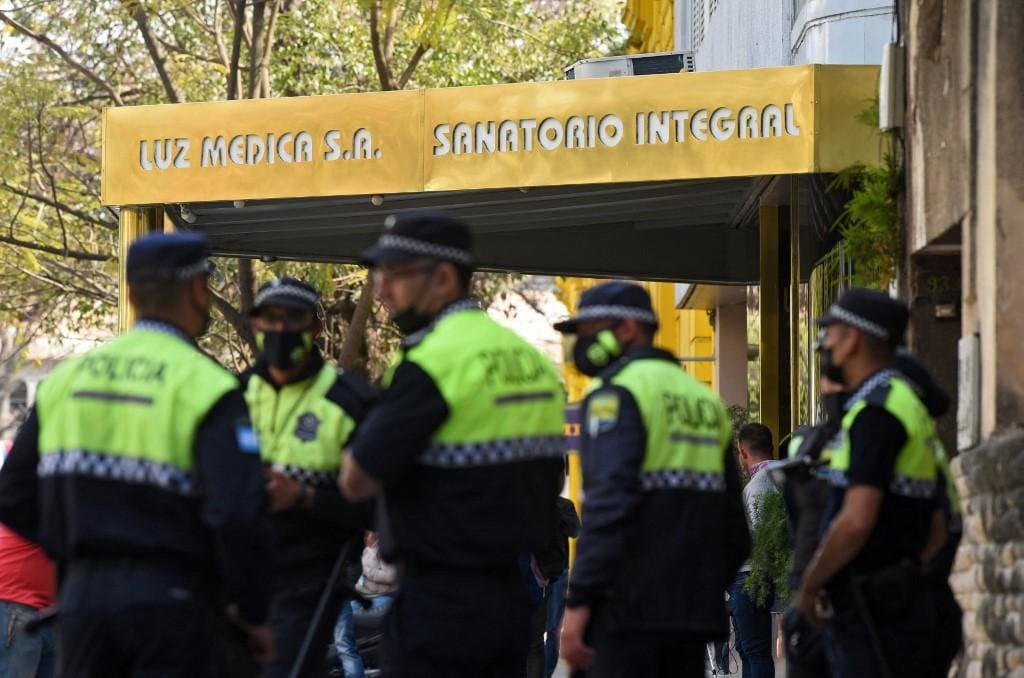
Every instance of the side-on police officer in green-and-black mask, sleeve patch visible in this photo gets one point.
(664, 525)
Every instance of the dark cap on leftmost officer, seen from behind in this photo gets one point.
(163, 257)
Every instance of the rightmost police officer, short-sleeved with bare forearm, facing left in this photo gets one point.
(883, 475)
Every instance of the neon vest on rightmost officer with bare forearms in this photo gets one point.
(917, 467)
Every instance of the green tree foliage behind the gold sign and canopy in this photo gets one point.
(62, 63)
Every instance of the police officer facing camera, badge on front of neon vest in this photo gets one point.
(305, 412)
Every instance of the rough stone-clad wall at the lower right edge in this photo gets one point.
(989, 577)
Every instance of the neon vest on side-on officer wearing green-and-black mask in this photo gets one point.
(688, 427)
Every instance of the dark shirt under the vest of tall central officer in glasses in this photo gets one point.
(484, 517)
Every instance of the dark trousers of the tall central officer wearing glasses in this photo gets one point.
(450, 622)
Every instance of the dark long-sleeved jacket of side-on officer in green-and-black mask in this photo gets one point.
(657, 560)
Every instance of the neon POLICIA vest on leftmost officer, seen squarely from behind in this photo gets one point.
(130, 411)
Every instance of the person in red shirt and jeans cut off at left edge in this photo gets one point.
(27, 585)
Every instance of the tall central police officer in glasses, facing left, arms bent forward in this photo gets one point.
(466, 450)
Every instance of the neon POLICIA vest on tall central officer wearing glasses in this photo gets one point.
(505, 400)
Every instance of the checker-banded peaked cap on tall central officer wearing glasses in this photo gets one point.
(422, 234)
